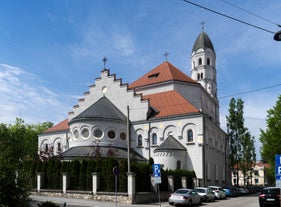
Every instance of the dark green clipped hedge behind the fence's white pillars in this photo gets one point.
(80, 174)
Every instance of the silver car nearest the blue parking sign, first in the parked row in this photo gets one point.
(185, 196)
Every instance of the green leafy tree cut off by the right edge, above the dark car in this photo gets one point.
(271, 137)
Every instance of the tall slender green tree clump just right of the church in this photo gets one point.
(241, 144)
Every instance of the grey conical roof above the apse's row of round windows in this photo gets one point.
(103, 109)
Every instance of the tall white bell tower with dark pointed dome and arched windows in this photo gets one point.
(203, 63)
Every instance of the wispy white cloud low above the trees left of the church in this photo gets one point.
(22, 95)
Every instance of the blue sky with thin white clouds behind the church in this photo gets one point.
(51, 51)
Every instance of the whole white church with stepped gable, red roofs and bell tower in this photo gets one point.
(164, 114)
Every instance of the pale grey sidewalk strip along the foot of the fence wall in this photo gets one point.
(72, 202)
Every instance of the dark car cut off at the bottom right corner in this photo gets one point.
(269, 196)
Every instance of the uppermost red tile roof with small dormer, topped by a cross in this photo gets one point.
(162, 73)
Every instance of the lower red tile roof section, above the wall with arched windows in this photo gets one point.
(170, 103)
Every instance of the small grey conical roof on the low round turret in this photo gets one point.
(170, 144)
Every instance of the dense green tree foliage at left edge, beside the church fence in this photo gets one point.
(18, 143)
